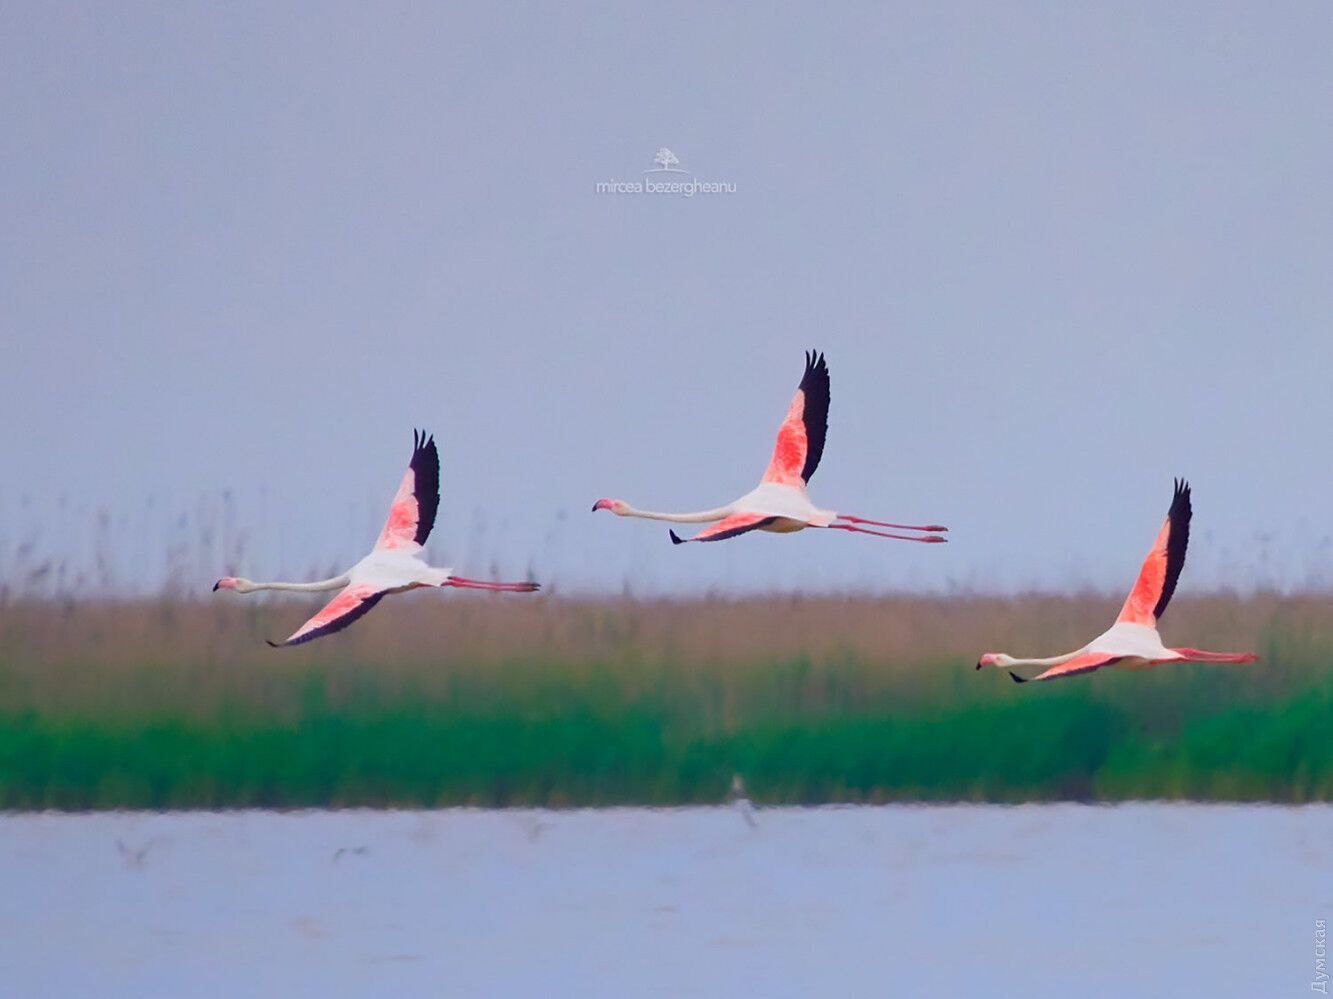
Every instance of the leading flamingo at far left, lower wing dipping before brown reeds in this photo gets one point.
(394, 566)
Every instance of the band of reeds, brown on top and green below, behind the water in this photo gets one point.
(547, 701)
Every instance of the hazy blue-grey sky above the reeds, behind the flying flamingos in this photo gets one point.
(1056, 254)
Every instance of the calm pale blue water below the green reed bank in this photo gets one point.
(1035, 901)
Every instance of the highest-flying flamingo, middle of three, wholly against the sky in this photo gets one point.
(780, 504)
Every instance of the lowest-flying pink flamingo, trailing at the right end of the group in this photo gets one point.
(1132, 642)
